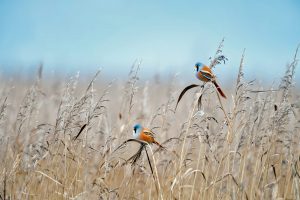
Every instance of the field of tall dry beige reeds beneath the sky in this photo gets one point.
(58, 139)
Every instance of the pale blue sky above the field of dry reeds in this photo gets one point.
(170, 36)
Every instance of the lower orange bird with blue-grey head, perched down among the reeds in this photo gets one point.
(144, 134)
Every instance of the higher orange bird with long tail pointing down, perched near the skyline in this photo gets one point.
(205, 74)
